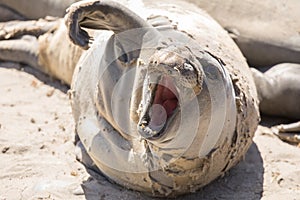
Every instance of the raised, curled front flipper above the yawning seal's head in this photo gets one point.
(103, 15)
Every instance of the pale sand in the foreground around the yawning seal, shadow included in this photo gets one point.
(37, 152)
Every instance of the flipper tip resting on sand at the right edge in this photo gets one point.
(288, 132)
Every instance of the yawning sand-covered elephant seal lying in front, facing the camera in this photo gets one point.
(161, 105)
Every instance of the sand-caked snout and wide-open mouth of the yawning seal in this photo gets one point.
(170, 71)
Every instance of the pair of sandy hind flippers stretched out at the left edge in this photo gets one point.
(19, 40)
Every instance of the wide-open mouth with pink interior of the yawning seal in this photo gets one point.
(160, 109)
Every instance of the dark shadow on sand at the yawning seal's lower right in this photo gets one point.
(244, 181)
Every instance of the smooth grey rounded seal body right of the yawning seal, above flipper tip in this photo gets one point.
(278, 86)
